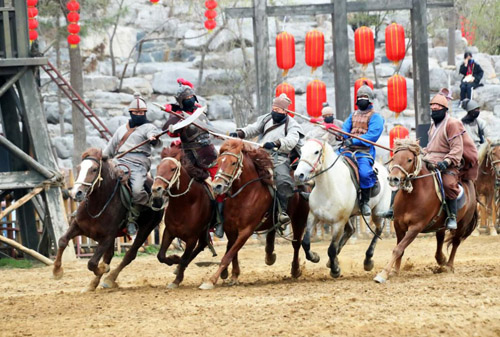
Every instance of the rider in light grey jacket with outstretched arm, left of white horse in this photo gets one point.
(277, 131)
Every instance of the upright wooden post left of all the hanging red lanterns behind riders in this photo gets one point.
(261, 52)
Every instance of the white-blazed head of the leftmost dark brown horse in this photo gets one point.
(90, 174)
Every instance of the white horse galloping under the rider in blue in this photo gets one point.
(333, 199)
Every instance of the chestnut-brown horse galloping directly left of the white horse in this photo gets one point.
(245, 175)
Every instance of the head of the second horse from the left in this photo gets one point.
(168, 174)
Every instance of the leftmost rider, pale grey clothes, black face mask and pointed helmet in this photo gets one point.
(129, 135)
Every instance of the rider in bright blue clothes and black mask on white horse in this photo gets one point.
(367, 124)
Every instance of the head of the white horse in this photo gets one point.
(312, 158)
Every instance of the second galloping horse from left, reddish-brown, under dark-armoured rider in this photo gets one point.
(189, 210)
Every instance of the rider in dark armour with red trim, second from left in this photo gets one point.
(195, 142)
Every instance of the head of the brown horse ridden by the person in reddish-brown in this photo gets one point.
(405, 164)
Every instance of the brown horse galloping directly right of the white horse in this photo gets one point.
(417, 208)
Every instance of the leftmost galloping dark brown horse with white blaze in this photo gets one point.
(100, 216)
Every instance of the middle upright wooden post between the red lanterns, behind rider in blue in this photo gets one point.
(341, 60)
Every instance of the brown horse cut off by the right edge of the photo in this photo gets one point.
(488, 180)
